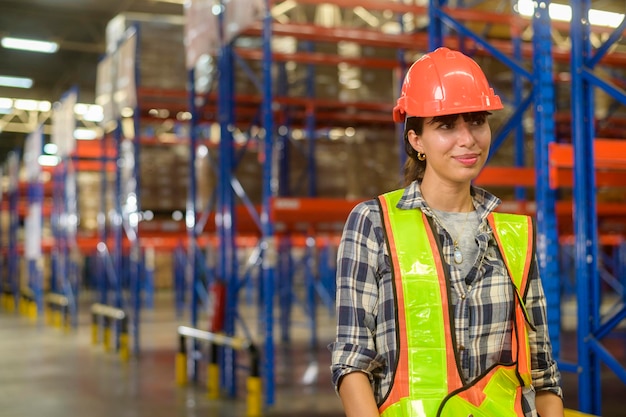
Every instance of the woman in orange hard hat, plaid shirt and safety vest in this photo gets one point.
(440, 306)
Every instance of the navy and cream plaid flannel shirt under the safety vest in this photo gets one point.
(482, 303)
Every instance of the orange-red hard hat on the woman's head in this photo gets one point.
(444, 82)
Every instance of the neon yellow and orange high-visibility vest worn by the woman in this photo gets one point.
(427, 380)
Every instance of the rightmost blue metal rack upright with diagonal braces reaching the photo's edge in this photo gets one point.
(591, 326)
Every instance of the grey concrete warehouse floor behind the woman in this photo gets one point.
(48, 372)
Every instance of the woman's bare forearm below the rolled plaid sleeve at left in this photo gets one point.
(356, 395)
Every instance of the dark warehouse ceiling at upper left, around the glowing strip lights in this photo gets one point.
(79, 27)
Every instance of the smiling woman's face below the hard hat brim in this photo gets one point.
(456, 148)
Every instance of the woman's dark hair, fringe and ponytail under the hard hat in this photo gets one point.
(414, 168)
